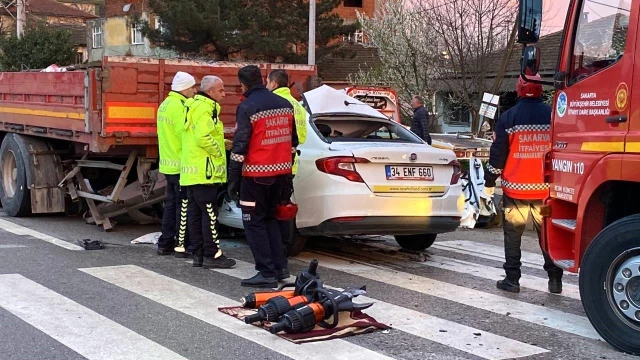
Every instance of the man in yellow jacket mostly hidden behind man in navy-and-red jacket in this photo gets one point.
(278, 83)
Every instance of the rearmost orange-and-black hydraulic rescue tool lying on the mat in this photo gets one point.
(305, 284)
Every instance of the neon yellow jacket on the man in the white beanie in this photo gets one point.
(170, 124)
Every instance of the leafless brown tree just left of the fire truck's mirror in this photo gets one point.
(471, 32)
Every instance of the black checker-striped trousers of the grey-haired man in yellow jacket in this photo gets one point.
(202, 219)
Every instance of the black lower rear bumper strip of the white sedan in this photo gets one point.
(385, 225)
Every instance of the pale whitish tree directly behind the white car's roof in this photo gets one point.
(408, 49)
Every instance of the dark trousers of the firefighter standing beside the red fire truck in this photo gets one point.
(515, 216)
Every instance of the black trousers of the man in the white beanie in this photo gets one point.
(174, 219)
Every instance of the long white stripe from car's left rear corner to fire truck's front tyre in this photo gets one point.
(535, 314)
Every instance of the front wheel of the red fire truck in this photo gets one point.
(613, 260)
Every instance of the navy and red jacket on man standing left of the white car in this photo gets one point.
(256, 151)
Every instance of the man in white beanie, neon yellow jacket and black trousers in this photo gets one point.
(170, 123)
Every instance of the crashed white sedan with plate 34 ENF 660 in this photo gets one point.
(363, 174)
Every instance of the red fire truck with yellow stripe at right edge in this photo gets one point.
(592, 216)
